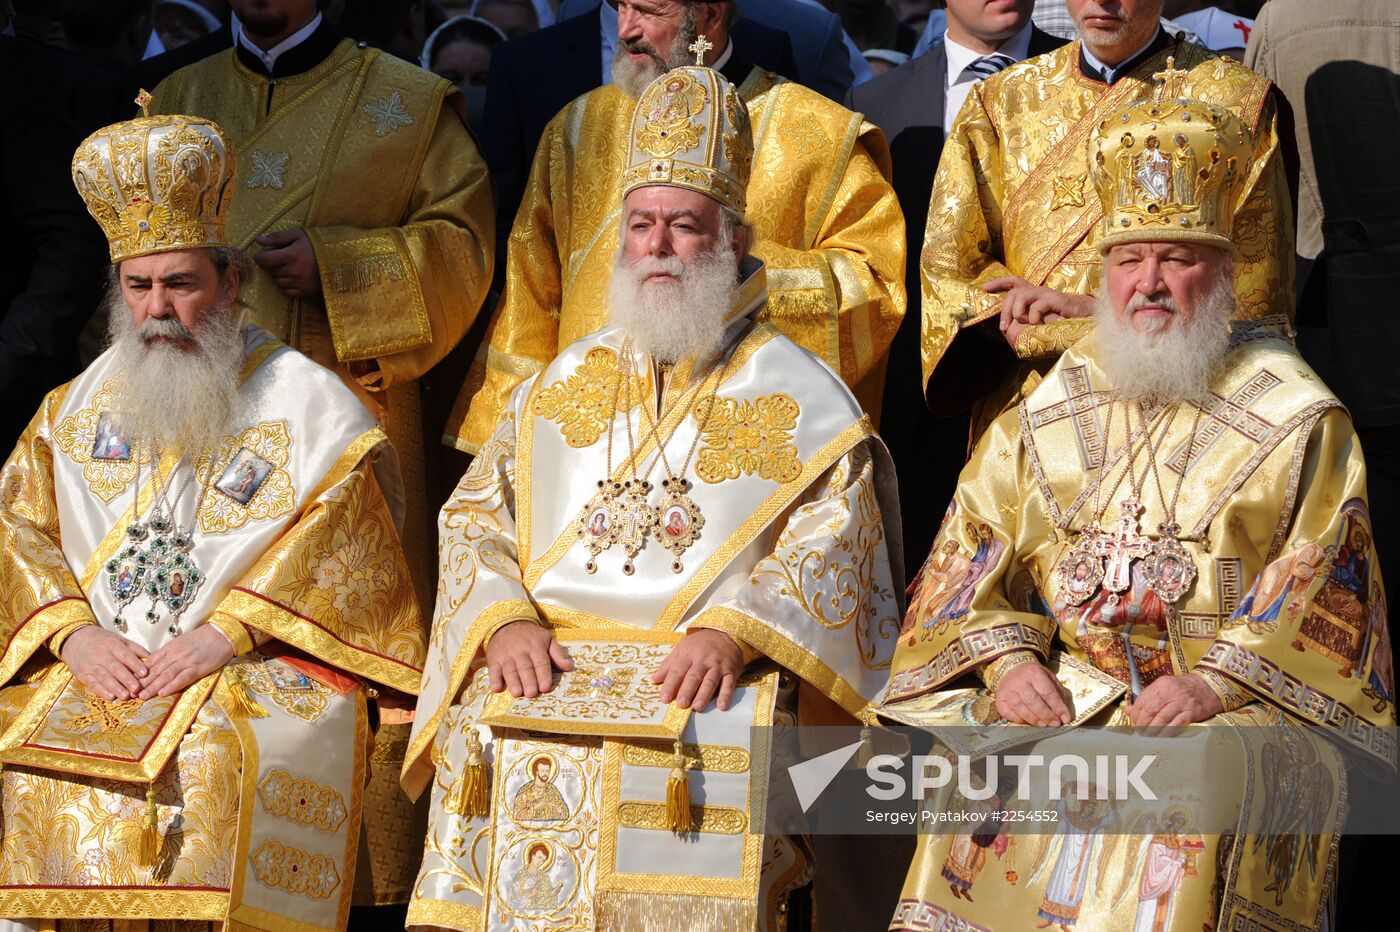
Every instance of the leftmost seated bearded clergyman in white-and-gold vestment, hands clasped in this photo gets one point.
(202, 590)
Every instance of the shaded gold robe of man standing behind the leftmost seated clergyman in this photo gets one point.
(373, 159)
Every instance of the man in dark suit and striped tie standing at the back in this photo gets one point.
(916, 106)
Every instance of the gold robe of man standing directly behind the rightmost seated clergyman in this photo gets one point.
(1013, 198)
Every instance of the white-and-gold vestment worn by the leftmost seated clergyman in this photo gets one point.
(241, 798)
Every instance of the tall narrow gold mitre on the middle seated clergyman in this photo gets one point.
(691, 129)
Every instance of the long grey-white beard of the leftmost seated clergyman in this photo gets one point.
(177, 398)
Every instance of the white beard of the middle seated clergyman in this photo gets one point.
(678, 320)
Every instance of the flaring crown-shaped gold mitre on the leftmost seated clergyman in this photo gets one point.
(157, 184)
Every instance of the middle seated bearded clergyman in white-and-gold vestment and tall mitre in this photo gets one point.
(681, 502)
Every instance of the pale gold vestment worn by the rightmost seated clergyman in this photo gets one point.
(1286, 619)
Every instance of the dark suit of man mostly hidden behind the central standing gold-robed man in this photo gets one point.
(535, 76)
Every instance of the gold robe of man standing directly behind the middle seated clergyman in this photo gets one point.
(821, 205)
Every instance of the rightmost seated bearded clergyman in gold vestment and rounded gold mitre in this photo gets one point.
(1182, 506)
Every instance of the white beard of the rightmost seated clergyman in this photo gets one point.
(1172, 365)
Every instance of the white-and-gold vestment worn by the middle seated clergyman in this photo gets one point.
(797, 558)
